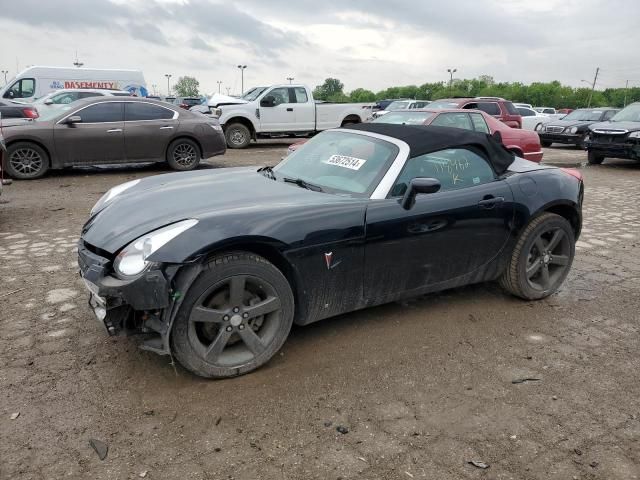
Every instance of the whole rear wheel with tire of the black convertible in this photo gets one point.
(546, 244)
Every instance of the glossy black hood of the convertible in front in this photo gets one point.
(203, 195)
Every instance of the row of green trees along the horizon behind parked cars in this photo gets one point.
(550, 94)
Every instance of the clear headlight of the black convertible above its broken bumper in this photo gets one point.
(132, 260)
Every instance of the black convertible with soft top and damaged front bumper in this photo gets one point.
(215, 266)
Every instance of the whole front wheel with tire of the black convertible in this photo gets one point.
(234, 318)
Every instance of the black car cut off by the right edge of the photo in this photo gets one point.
(617, 138)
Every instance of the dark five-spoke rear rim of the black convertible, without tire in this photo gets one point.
(548, 259)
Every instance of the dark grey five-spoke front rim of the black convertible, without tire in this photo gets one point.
(235, 321)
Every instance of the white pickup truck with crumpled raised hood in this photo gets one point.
(280, 110)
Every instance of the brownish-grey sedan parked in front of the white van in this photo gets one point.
(110, 130)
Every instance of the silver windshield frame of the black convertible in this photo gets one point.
(385, 182)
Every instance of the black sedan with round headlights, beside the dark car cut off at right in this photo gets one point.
(574, 127)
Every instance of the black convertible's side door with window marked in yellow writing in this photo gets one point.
(447, 235)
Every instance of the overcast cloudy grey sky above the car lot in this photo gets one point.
(365, 43)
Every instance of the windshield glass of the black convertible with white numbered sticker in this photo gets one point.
(340, 162)
